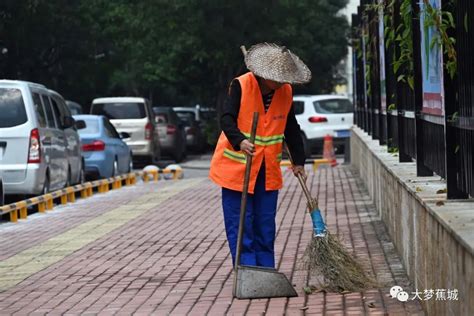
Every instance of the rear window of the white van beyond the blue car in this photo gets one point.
(119, 111)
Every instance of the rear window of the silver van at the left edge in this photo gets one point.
(12, 108)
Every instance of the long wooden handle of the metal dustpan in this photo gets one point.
(243, 203)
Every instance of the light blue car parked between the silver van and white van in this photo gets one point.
(105, 153)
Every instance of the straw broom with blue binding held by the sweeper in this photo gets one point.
(325, 255)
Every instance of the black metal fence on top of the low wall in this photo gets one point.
(435, 129)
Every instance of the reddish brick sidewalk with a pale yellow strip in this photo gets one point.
(161, 249)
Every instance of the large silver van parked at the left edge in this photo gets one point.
(35, 128)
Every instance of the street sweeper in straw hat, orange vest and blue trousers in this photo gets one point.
(265, 89)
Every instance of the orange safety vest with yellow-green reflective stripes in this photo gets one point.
(228, 165)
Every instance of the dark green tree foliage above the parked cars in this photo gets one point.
(177, 52)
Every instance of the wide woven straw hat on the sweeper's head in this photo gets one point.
(276, 63)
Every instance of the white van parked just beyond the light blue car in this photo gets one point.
(134, 116)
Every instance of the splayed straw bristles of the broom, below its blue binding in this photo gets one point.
(328, 257)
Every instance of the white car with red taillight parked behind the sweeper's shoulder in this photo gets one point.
(321, 115)
